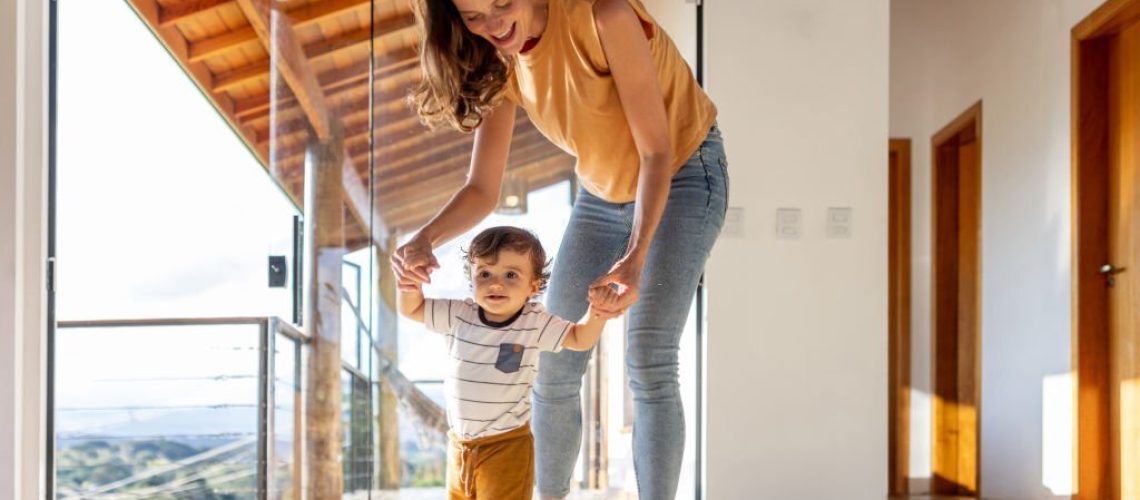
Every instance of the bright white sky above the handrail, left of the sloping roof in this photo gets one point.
(164, 212)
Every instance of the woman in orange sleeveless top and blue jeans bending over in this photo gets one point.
(601, 80)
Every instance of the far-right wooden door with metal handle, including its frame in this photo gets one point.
(1106, 93)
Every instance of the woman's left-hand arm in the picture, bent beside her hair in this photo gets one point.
(475, 201)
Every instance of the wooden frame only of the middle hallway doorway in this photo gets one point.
(968, 121)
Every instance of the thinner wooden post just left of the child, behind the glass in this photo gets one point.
(388, 423)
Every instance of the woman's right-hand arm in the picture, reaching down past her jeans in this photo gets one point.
(632, 65)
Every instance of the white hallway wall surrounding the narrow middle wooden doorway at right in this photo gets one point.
(1014, 55)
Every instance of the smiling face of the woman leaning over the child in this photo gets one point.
(506, 23)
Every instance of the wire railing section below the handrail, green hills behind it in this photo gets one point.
(176, 416)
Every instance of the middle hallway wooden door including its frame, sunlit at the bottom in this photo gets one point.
(957, 305)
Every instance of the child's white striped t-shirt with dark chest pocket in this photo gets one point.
(494, 365)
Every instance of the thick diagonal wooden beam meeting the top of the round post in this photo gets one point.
(291, 62)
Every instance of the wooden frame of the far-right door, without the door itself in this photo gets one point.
(1090, 177)
